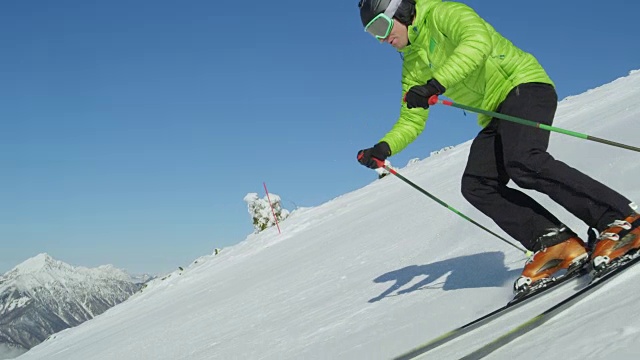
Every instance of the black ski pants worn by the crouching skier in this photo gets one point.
(505, 151)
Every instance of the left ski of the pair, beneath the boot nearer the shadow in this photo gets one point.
(474, 324)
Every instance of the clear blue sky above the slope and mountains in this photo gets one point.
(130, 131)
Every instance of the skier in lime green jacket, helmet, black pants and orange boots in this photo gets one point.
(448, 48)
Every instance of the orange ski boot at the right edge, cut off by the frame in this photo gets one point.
(621, 238)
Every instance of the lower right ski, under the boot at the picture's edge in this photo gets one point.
(627, 262)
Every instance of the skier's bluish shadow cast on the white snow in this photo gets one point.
(472, 271)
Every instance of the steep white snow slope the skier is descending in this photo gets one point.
(377, 271)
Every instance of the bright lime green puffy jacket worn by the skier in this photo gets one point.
(450, 42)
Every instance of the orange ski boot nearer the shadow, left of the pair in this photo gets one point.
(559, 251)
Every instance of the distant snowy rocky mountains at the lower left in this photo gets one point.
(42, 296)
